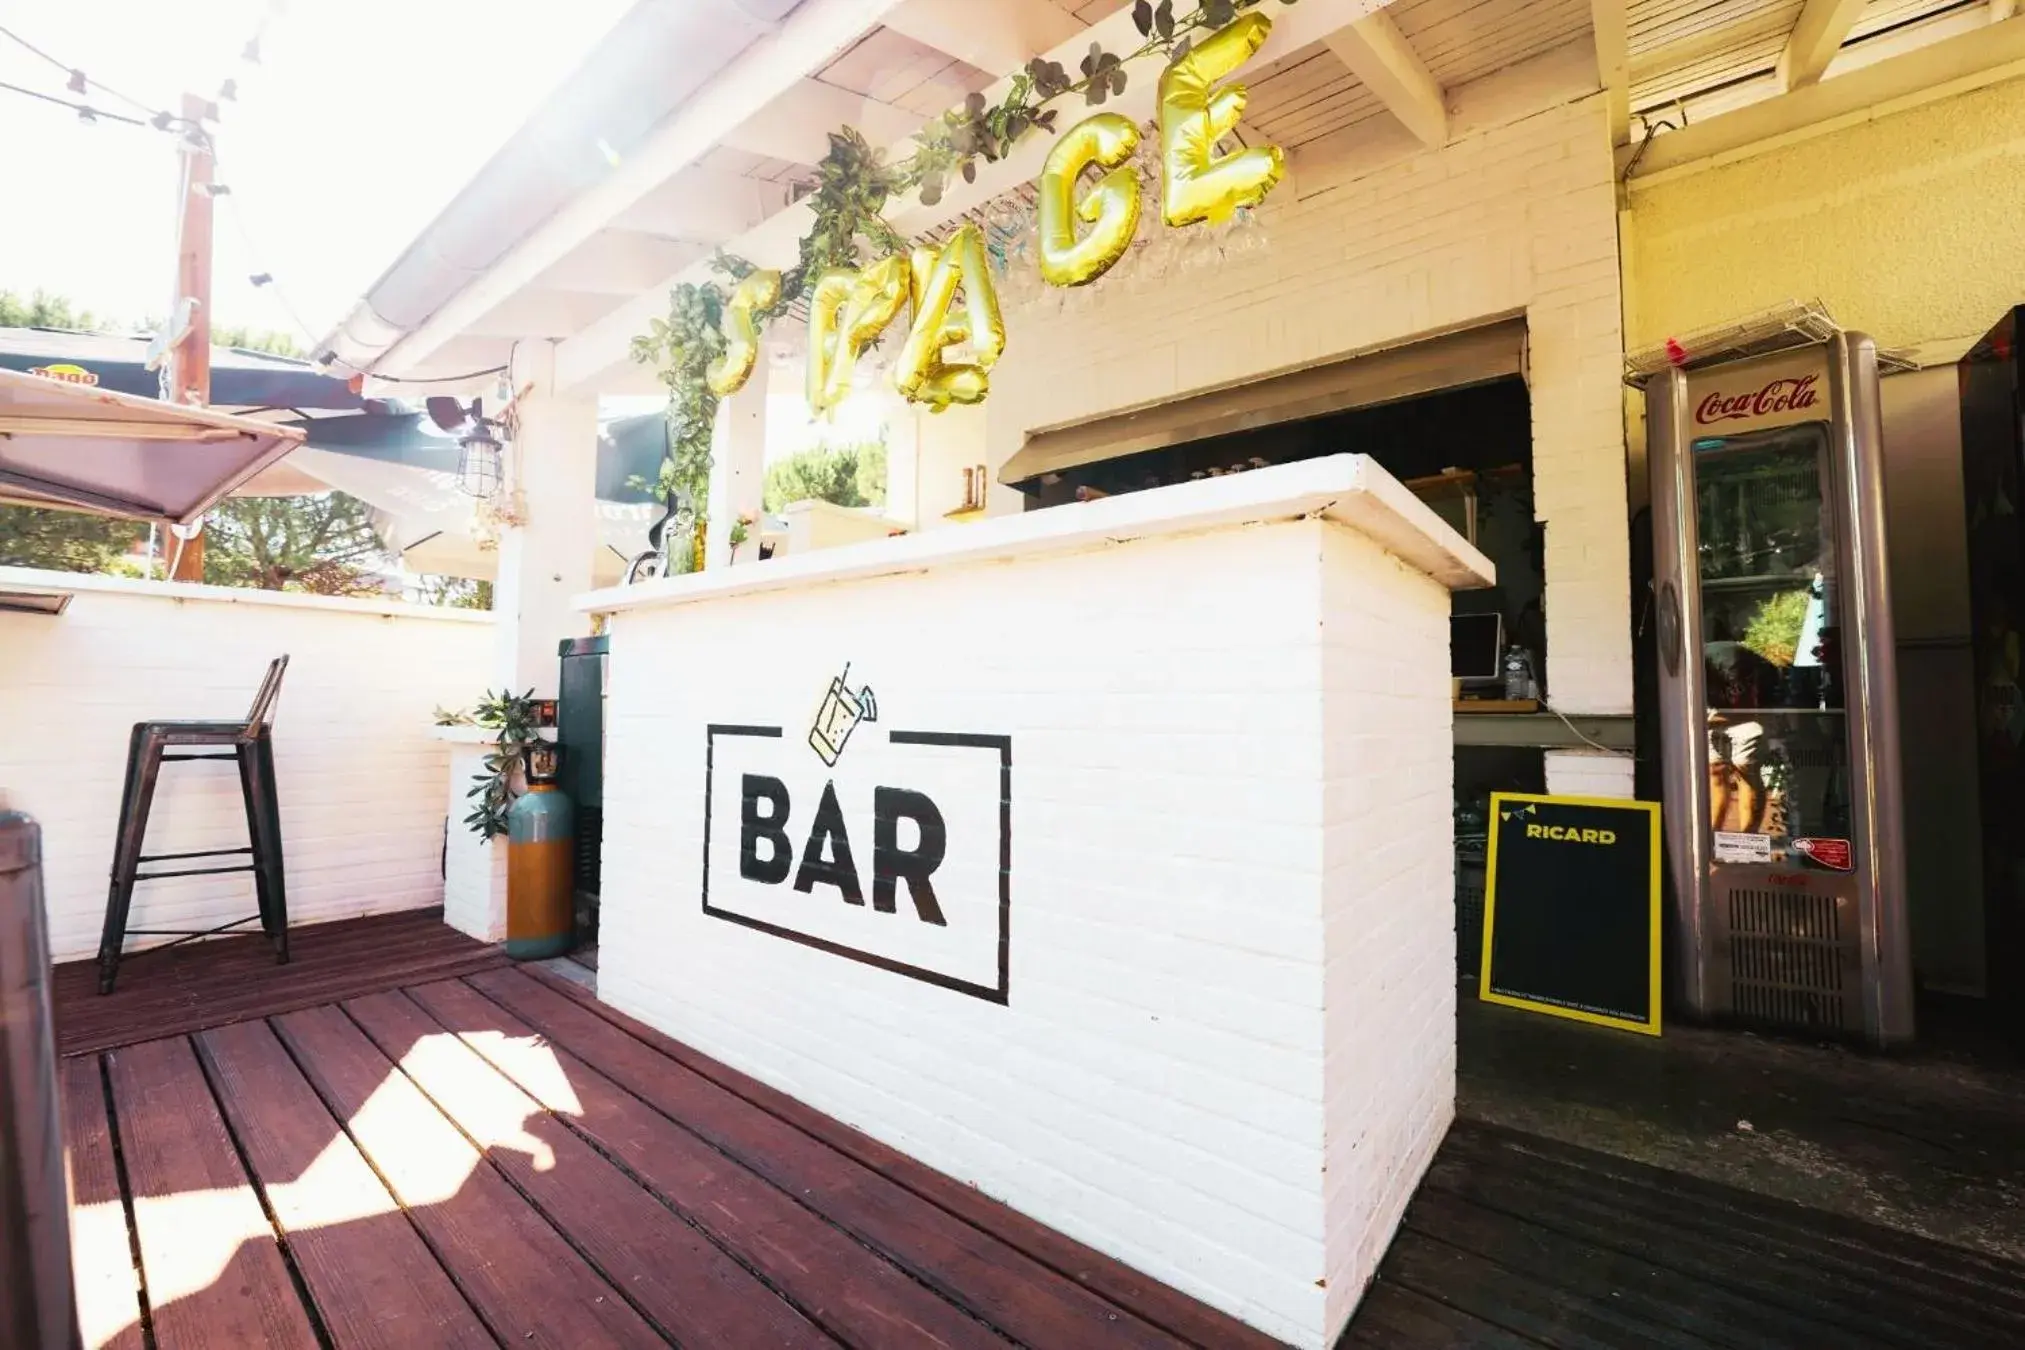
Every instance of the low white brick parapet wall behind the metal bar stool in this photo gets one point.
(361, 782)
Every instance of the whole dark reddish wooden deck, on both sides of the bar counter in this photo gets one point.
(499, 1161)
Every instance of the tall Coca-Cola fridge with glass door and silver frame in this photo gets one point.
(1779, 693)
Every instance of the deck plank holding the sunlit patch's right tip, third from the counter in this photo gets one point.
(847, 1288)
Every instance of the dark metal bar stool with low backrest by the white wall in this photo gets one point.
(252, 746)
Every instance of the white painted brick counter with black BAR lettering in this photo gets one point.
(1099, 857)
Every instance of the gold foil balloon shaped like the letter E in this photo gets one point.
(1196, 114)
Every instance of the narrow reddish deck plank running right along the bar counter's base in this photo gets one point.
(1109, 1278)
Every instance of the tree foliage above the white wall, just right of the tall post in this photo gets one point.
(317, 543)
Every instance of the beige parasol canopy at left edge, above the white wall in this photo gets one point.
(112, 454)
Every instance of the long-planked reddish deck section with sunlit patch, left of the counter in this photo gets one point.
(497, 1161)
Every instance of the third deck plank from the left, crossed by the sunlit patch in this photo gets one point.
(368, 1270)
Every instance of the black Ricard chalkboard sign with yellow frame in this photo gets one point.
(1572, 910)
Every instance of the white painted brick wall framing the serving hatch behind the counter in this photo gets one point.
(1514, 220)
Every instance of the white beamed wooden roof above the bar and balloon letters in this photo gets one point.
(724, 167)
